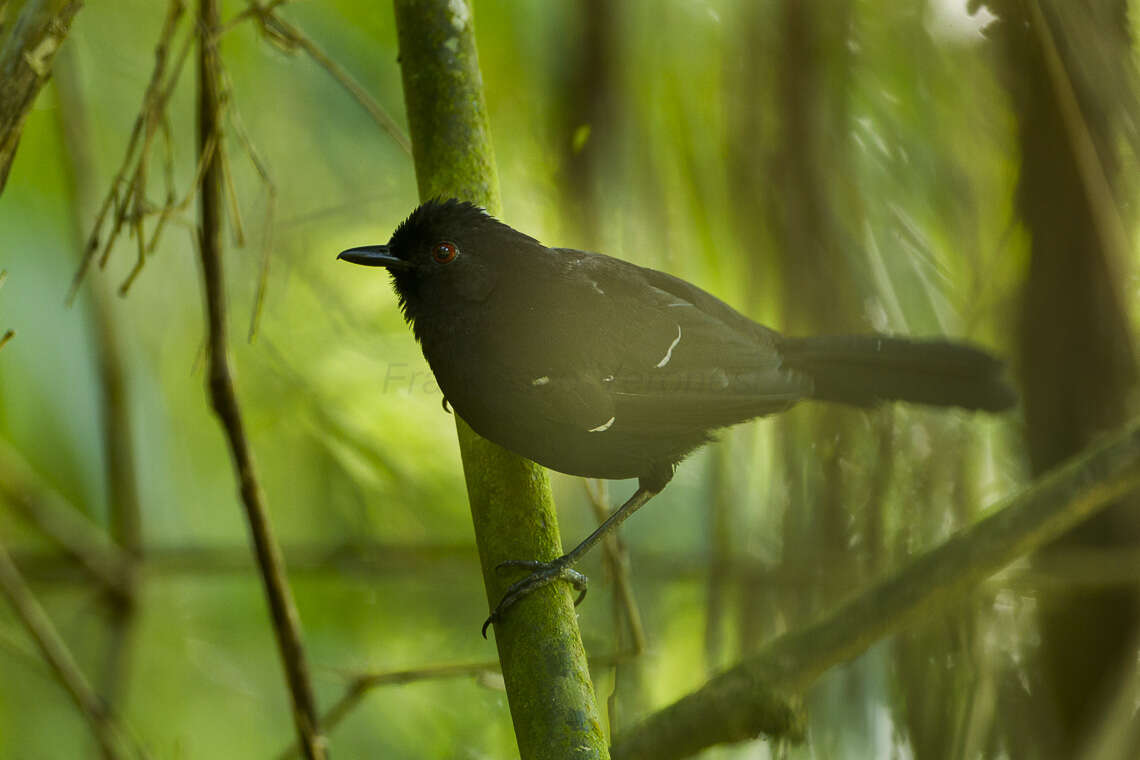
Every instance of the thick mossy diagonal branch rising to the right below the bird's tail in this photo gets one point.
(751, 698)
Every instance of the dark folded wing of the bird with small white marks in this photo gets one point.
(625, 348)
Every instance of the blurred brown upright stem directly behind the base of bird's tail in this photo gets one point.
(821, 292)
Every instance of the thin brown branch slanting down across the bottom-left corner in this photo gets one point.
(59, 657)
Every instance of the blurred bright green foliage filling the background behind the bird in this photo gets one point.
(360, 463)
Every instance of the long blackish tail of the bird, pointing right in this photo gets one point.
(866, 370)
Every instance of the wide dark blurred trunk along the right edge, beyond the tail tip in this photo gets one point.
(1070, 71)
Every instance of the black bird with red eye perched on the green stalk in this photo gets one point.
(595, 366)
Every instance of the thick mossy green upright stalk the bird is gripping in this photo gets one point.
(540, 645)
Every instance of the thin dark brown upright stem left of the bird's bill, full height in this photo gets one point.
(224, 398)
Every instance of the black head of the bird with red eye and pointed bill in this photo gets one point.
(445, 254)
